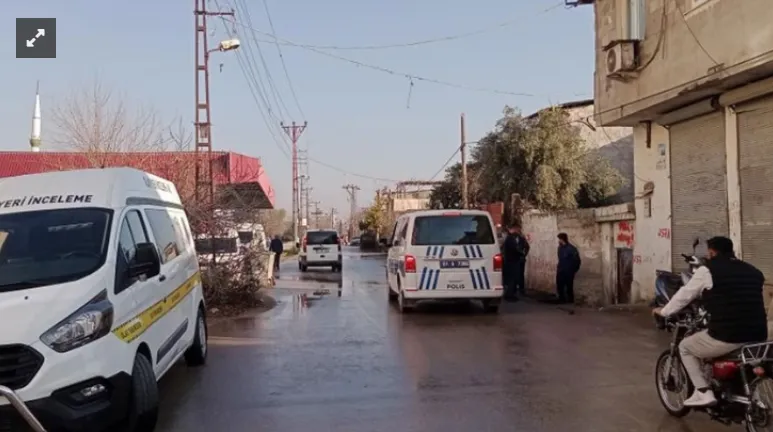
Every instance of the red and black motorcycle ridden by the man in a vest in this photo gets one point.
(738, 379)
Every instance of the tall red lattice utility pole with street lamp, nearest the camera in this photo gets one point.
(205, 188)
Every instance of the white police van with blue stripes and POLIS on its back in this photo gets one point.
(444, 255)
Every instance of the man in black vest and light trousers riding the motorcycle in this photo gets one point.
(731, 292)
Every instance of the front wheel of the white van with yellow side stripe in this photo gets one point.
(143, 403)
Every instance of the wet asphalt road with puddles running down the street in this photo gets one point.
(353, 363)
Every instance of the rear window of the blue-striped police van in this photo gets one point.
(452, 230)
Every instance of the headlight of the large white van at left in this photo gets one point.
(89, 323)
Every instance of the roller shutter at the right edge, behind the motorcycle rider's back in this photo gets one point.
(755, 163)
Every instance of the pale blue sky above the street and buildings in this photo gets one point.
(367, 123)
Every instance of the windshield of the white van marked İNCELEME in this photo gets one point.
(51, 246)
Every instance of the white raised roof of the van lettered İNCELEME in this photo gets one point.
(98, 187)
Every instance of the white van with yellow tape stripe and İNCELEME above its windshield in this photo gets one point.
(100, 294)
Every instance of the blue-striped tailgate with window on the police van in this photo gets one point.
(455, 251)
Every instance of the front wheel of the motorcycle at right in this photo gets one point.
(674, 388)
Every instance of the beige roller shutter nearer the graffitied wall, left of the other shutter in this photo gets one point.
(698, 183)
